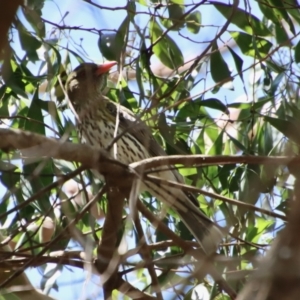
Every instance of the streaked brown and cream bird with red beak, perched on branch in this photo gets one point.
(96, 121)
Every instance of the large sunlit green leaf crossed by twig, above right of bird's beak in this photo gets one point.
(166, 49)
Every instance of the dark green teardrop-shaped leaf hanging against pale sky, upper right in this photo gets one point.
(218, 67)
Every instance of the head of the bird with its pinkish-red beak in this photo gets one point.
(86, 81)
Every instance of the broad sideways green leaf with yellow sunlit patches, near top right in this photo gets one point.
(250, 45)
